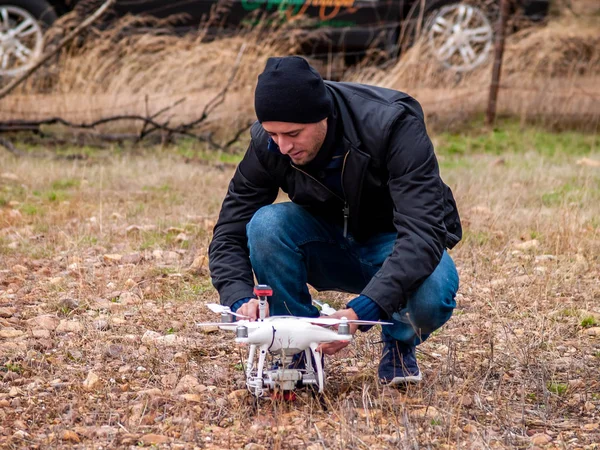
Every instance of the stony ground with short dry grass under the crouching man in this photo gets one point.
(516, 367)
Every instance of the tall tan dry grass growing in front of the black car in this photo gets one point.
(550, 75)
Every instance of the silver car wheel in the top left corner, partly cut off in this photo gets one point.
(22, 23)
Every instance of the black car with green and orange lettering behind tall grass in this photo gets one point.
(460, 32)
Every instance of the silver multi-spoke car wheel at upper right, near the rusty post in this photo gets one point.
(460, 36)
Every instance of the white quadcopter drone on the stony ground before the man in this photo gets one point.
(283, 337)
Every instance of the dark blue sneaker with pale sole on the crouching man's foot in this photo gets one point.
(398, 363)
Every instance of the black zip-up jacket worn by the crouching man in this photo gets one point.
(390, 180)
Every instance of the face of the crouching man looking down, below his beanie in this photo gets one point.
(300, 141)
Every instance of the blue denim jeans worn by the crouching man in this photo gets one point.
(289, 247)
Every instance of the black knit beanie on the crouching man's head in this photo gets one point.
(291, 90)
